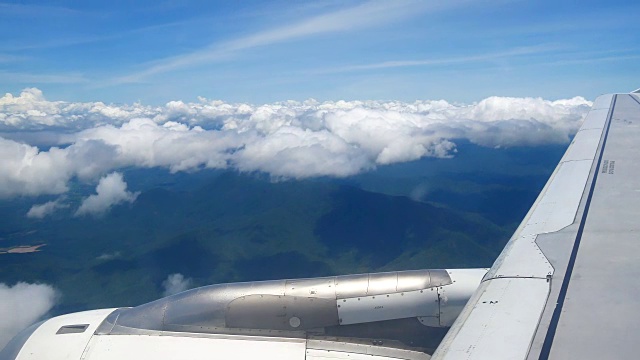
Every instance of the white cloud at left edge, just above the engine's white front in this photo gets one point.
(22, 305)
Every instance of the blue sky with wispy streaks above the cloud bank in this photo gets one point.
(266, 51)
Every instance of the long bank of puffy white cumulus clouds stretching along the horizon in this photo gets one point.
(288, 139)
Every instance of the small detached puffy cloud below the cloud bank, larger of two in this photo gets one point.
(111, 190)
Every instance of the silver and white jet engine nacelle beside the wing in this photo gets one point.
(395, 306)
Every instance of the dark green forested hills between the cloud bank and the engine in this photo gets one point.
(238, 228)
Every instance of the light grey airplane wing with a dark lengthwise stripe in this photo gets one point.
(567, 285)
